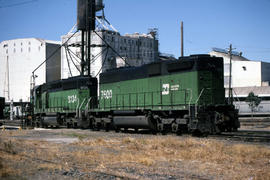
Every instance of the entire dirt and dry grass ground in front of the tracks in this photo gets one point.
(83, 154)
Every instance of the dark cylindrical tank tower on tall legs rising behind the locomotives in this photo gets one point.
(86, 23)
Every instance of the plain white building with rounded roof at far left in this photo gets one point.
(18, 59)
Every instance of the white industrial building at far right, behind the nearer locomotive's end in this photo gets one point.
(247, 76)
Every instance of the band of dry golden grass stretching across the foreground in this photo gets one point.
(229, 161)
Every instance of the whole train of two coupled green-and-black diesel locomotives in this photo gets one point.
(184, 95)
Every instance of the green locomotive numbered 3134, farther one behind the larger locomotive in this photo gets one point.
(61, 103)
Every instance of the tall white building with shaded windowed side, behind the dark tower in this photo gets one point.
(132, 50)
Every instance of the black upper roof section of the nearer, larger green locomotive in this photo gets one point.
(183, 64)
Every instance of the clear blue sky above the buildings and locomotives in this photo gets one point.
(208, 23)
